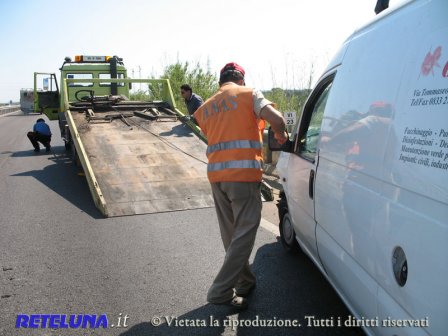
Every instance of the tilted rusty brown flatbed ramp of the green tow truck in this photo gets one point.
(140, 158)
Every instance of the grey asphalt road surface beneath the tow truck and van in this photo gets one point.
(59, 256)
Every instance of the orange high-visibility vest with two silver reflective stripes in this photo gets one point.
(235, 139)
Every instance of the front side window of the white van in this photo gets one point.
(309, 129)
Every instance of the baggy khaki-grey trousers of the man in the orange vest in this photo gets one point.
(238, 206)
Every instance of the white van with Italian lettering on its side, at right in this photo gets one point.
(366, 178)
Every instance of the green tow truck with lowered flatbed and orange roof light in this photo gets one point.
(138, 156)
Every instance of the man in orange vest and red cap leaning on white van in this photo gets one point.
(231, 120)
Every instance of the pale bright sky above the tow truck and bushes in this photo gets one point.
(277, 42)
